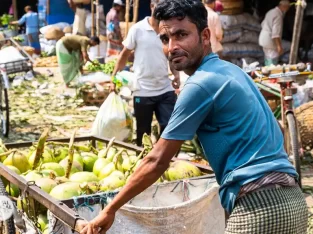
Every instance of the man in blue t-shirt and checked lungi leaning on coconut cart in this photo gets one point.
(240, 136)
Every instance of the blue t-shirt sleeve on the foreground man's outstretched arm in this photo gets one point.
(192, 108)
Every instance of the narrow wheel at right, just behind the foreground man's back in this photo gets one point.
(293, 146)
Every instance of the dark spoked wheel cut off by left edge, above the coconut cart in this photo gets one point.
(4, 112)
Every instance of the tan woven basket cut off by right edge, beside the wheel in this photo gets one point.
(304, 115)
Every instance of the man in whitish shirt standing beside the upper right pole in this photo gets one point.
(271, 34)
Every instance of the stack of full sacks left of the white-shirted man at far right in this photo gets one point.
(241, 37)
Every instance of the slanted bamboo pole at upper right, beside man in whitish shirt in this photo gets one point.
(297, 31)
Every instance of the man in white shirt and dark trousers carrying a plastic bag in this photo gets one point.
(154, 90)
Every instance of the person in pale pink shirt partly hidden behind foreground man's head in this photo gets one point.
(215, 26)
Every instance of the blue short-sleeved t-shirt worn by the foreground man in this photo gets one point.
(239, 134)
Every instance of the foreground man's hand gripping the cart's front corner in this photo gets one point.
(100, 224)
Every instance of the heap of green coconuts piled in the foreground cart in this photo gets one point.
(66, 170)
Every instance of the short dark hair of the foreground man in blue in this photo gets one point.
(193, 9)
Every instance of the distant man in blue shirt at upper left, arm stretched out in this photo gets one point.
(32, 28)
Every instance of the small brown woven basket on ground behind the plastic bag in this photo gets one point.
(94, 97)
